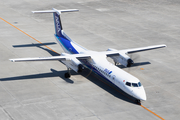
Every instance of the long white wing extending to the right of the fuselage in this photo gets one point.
(129, 51)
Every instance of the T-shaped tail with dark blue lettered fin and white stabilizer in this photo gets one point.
(57, 20)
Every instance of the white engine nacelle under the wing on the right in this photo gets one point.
(122, 58)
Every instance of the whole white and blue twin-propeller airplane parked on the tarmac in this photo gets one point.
(77, 57)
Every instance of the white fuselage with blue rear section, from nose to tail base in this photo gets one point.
(99, 64)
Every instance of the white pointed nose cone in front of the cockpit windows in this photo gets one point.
(139, 93)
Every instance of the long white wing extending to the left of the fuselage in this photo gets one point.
(61, 58)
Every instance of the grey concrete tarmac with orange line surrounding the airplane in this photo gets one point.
(39, 91)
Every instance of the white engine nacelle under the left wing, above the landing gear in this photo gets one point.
(73, 63)
